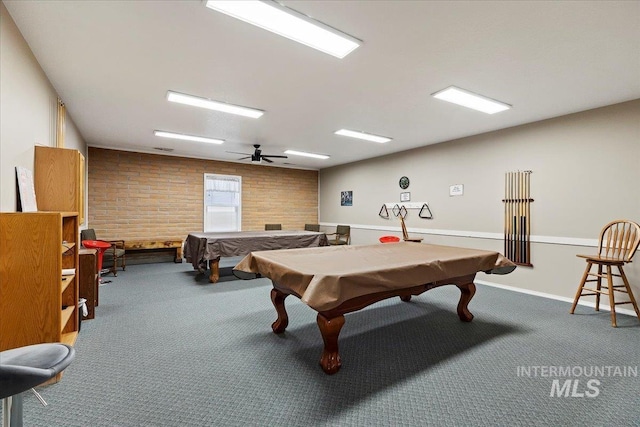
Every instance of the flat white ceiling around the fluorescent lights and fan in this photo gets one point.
(112, 63)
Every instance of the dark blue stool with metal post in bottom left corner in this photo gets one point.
(22, 369)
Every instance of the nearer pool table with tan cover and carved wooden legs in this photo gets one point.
(341, 279)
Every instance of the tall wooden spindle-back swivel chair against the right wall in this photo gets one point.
(619, 241)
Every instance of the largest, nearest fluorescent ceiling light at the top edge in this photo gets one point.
(288, 23)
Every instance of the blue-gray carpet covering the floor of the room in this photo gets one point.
(169, 349)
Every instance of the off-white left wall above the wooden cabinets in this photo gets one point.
(28, 109)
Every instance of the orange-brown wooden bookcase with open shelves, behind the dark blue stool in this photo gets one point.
(38, 284)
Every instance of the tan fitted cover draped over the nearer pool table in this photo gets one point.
(326, 277)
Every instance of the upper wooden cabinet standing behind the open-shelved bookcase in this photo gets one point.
(59, 180)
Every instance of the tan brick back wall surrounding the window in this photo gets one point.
(147, 196)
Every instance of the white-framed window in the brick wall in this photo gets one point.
(222, 202)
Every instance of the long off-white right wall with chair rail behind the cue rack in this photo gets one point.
(586, 172)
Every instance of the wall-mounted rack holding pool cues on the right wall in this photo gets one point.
(517, 217)
